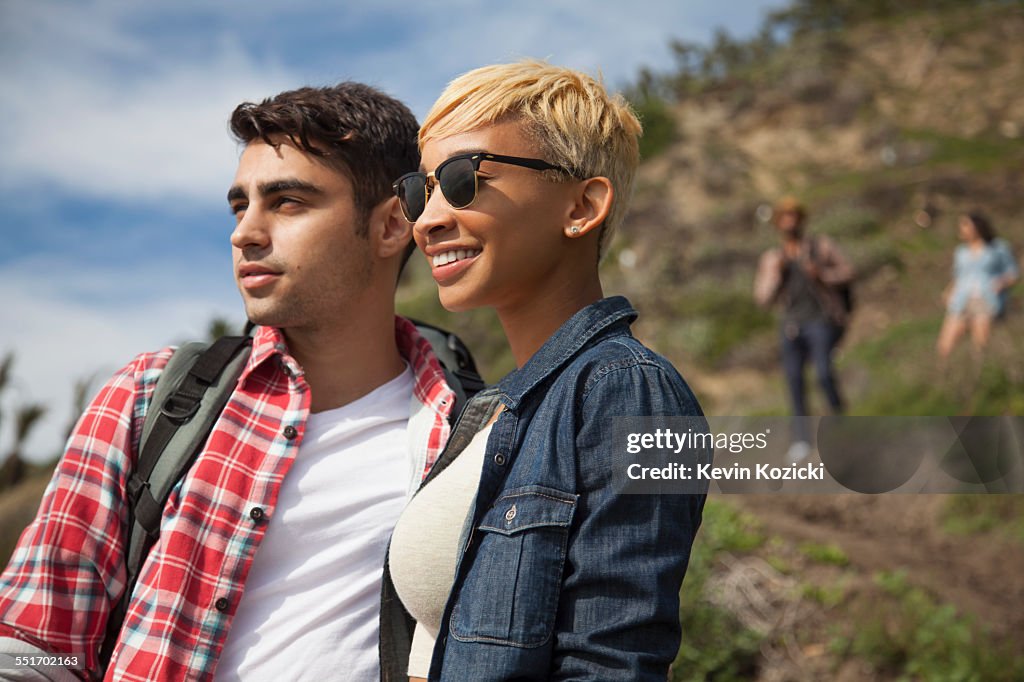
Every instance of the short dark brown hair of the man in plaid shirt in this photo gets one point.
(354, 129)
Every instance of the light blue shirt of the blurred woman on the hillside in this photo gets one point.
(977, 273)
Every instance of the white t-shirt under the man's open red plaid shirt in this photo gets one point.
(312, 604)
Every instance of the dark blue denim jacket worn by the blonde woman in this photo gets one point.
(560, 577)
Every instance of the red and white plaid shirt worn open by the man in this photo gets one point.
(69, 568)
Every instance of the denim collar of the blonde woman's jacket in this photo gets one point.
(565, 345)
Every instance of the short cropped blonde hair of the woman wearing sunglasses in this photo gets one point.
(577, 123)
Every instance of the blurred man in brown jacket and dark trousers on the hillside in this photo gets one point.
(803, 276)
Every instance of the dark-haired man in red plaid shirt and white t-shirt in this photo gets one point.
(271, 551)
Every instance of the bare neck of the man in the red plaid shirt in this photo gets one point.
(345, 363)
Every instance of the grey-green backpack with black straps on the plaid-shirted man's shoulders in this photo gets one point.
(189, 398)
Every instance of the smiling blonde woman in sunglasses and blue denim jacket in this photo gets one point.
(519, 559)
